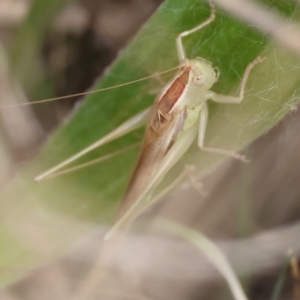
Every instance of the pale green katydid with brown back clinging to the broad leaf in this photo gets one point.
(179, 114)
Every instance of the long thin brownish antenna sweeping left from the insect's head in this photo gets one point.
(86, 93)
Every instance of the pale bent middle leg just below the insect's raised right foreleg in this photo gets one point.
(201, 136)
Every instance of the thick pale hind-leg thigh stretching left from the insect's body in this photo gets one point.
(133, 123)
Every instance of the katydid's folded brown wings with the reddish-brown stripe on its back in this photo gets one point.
(164, 125)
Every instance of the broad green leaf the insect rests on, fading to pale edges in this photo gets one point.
(63, 207)
